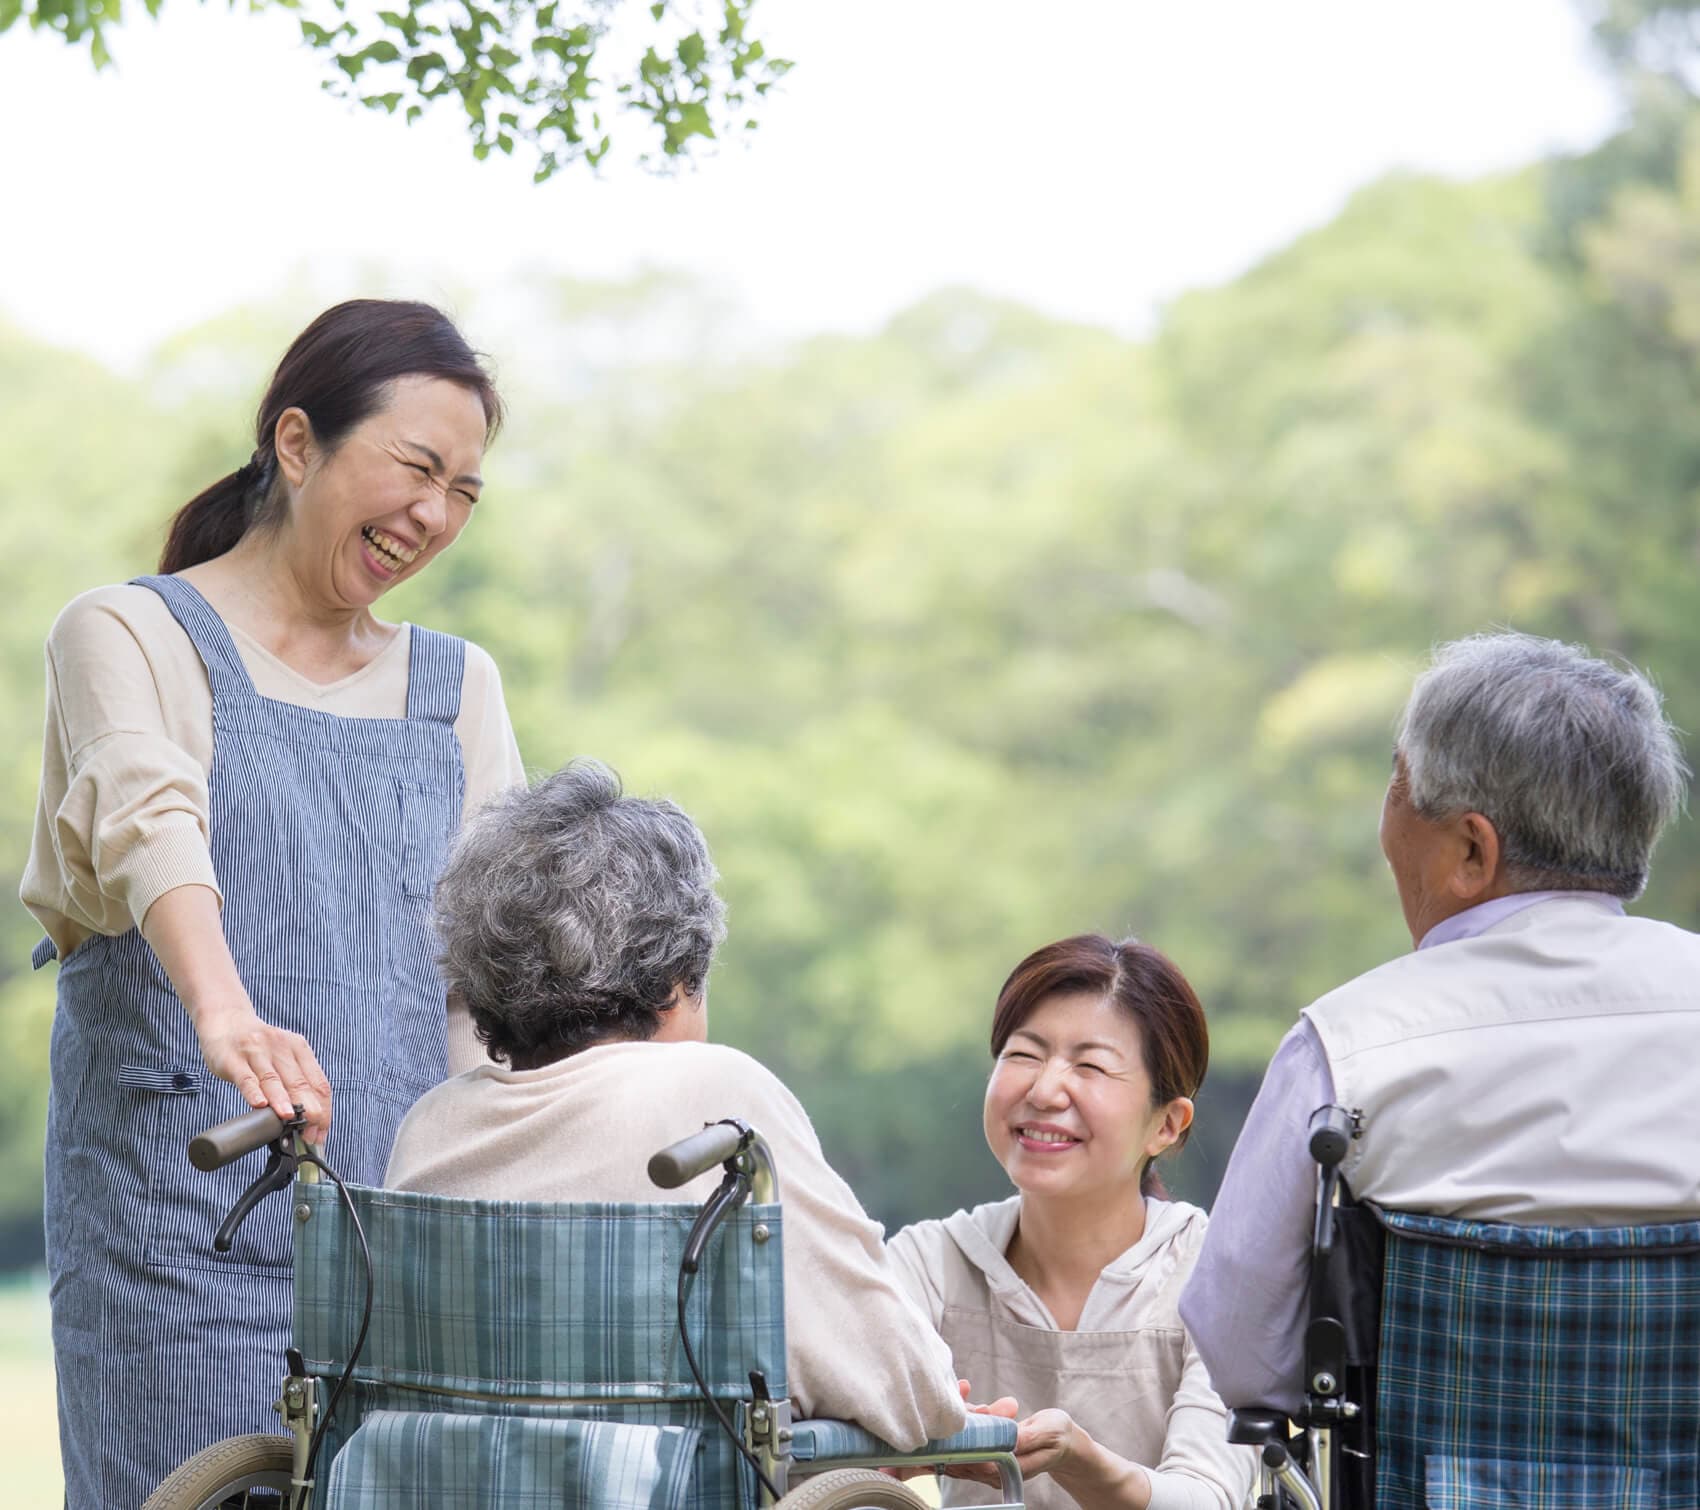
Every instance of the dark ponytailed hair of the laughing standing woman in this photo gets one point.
(337, 373)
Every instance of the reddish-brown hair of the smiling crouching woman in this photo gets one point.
(1145, 984)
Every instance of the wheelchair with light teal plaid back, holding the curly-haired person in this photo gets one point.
(456, 1353)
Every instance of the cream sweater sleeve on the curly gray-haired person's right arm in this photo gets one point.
(858, 1346)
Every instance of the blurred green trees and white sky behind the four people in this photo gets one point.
(990, 519)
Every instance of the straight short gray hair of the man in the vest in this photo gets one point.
(1570, 758)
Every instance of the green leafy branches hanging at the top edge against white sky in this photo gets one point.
(545, 74)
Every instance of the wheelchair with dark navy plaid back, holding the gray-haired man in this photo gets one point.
(1487, 1366)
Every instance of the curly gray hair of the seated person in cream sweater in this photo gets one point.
(569, 914)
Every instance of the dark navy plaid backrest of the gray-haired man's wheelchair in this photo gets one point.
(1510, 1351)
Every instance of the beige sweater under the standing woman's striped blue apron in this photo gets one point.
(123, 809)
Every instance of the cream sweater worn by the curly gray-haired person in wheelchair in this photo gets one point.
(584, 1130)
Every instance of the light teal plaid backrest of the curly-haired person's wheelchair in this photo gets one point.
(541, 1310)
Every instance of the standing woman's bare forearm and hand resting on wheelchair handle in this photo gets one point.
(269, 1065)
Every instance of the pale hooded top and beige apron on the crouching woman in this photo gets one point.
(1130, 1375)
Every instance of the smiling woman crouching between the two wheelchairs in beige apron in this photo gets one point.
(1065, 1297)
